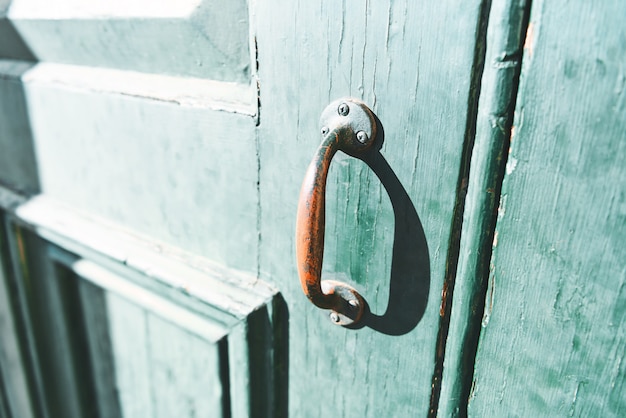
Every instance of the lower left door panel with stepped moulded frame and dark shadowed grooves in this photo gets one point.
(130, 329)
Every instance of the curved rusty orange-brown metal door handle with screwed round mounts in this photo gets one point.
(348, 125)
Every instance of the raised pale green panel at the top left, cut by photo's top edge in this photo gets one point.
(196, 38)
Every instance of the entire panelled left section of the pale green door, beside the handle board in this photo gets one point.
(129, 282)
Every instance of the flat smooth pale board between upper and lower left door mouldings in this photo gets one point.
(197, 189)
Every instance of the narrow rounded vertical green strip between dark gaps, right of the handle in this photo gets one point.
(504, 40)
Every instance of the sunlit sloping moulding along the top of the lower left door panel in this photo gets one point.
(190, 280)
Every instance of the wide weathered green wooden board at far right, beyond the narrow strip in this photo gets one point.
(553, 340)
